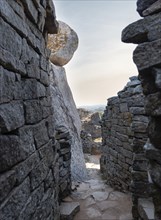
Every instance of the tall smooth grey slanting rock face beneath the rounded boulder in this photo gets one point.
(66, 115)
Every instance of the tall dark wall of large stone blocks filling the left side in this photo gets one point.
(29, 159)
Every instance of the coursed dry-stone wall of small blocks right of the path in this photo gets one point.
(124, 134)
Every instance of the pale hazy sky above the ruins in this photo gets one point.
(102, 64)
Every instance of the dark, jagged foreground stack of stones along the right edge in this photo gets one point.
(147, 56)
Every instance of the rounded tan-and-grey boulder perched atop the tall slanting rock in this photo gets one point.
(62, 45)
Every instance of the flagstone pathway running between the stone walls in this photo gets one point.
(98, 200)
